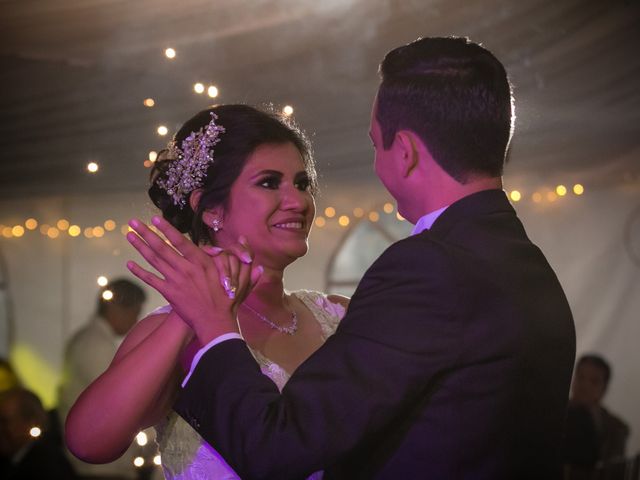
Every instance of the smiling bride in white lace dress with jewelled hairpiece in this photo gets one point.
(231, 172)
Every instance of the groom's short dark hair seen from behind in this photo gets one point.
(455, 95)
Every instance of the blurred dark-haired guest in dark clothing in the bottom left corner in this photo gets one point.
(29, 451)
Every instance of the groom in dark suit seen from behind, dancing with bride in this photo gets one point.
(455, 356)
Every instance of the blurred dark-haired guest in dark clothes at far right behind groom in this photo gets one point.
(594, 435)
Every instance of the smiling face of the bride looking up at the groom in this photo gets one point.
(271, 205)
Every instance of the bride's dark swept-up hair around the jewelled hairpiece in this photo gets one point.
(245, 129)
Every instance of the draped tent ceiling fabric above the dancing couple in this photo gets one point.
(75, 72)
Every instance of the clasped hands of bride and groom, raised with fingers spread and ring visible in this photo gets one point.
(204, 285)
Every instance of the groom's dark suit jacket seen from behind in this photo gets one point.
(453, 362)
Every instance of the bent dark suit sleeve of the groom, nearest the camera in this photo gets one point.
(400, 331)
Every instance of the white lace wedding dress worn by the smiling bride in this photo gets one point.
(186, 456)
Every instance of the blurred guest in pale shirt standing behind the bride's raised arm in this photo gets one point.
(89, 353)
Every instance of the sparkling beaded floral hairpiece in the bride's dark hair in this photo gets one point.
(191, 161)
